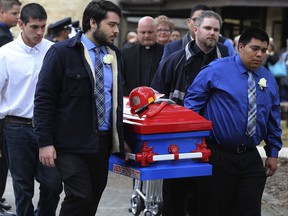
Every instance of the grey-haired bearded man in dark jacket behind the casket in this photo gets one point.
(172, 78)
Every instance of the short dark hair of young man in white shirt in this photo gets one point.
(32, 11)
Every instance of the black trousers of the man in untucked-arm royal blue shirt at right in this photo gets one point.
(236, 185)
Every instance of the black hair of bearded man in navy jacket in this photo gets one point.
(97, 10)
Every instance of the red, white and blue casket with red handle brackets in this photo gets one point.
(168, 141)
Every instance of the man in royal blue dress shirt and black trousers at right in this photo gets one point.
(220, 94)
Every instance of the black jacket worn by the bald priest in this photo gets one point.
(132, 66)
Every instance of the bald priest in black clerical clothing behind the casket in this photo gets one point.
(141, 60)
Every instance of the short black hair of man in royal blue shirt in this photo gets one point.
(253, 32)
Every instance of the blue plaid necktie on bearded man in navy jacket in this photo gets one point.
(99, 88)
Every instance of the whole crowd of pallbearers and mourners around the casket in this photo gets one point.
(61, 106)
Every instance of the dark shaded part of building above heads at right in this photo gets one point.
(271, 15)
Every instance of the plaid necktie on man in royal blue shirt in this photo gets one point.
(252, 105)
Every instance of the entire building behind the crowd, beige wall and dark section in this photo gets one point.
(271, 15)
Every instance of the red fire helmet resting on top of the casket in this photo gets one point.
(140, 98)
